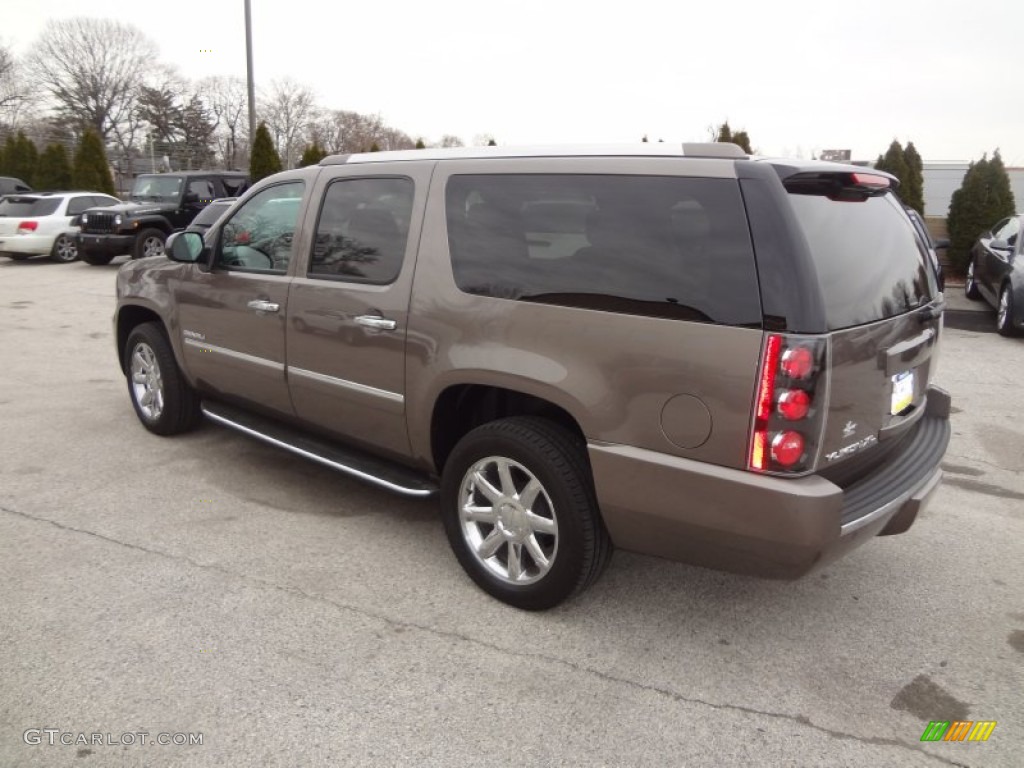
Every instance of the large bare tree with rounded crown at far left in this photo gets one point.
(93, 68)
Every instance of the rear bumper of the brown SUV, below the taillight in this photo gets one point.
(742, 522)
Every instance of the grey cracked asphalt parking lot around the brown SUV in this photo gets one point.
(212, 585)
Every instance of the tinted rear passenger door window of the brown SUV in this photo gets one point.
(363, 230)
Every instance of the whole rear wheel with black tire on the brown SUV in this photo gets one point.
(521, 513)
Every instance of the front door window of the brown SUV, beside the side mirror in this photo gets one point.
(260, 236)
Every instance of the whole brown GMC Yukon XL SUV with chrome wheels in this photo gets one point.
(680, 352)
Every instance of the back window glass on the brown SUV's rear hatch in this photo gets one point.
(871, 264)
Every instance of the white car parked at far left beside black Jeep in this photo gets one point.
(45, 224)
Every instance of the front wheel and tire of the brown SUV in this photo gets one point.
(163, 401)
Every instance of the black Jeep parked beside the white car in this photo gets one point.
(159, 205)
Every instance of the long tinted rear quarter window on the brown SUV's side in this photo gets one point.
(660, 246)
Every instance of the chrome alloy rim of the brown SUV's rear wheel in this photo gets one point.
(508, 521)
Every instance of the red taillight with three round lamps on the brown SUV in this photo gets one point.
(787, 421)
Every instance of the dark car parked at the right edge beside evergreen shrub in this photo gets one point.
(996, 274)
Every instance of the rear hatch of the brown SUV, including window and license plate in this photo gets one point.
(882, 311)
